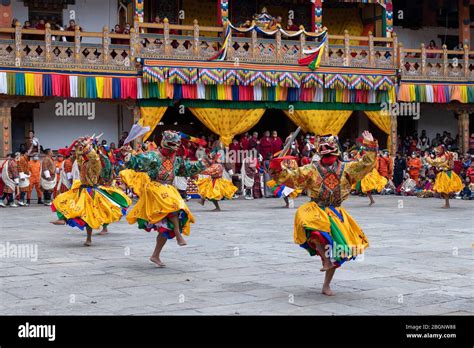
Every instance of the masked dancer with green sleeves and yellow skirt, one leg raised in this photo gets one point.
(160, 206)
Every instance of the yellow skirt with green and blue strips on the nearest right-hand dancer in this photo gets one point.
(331, 227)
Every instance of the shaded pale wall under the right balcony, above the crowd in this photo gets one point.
(436, 120)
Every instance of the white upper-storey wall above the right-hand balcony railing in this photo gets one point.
(414, 38)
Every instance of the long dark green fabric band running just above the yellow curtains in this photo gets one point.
(246, 105)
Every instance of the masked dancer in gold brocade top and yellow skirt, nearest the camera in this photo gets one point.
(322, 226)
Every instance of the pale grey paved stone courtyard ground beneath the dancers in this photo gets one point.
(243, 261)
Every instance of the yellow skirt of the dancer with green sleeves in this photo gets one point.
(154, 207)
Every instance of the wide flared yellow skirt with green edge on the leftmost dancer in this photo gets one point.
(91, 206)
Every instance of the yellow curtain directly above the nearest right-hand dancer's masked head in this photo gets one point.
(320, 122)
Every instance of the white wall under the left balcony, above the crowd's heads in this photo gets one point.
(55, 132)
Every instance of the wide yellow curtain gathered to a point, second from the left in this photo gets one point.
(227, 123)
